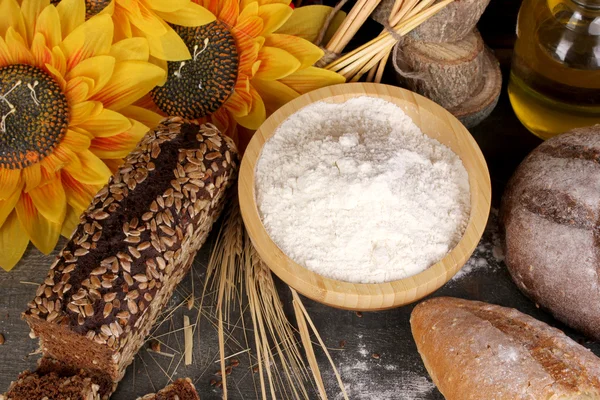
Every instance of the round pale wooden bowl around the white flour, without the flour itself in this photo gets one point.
(435, 122)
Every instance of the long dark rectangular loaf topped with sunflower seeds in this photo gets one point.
(133, 245)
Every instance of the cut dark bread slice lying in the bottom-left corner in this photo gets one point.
(34, 386)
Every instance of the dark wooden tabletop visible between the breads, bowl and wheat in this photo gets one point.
(395, 372)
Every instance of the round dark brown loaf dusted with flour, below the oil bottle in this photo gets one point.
(550, 216)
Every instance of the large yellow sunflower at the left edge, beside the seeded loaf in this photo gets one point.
(66, 116)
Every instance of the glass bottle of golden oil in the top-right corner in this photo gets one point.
(555, 77)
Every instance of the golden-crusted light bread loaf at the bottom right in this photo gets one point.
(475, 350)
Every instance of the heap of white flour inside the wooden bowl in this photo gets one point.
(356, 192)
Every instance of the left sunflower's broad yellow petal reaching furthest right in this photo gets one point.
(130, 81)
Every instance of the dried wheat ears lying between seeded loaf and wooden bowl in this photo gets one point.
(236, 270)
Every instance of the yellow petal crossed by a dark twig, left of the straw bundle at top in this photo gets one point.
(306, 22)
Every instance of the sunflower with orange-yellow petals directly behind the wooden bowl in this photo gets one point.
(241, 68)
